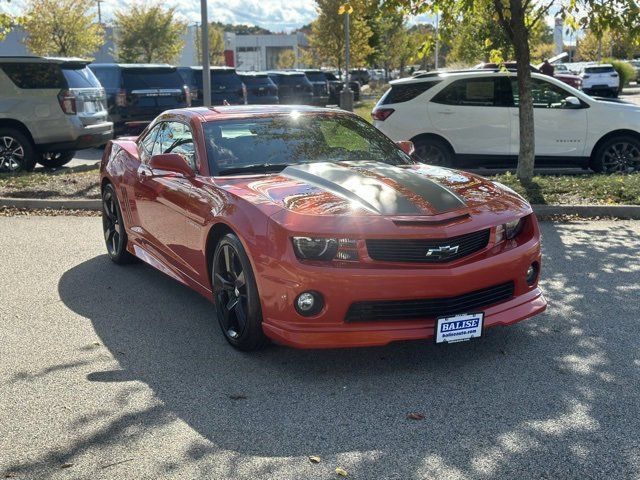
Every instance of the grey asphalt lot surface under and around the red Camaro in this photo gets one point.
(119, 372)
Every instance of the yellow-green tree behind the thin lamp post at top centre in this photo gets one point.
(326, 41)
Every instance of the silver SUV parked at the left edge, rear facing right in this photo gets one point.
(49, 108)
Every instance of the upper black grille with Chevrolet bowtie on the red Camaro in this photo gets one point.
(416, 250)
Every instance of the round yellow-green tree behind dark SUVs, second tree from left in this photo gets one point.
(148, 33)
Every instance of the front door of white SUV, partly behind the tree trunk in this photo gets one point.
(560, 128)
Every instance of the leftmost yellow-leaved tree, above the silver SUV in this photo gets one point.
(66, 28)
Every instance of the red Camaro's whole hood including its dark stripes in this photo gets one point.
(374, 188)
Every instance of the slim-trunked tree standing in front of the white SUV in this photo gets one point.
(518, 19)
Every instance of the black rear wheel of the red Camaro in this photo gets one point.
(115, 235)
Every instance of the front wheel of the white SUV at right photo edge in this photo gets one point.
(617, 155)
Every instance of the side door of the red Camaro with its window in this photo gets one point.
(162, 199)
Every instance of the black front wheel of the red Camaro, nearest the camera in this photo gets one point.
(235, 291)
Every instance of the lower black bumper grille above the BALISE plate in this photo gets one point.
(428, 307)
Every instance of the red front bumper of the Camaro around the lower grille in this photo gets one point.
(340, 287)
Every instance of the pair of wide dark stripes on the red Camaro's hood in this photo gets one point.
(361, 183)
